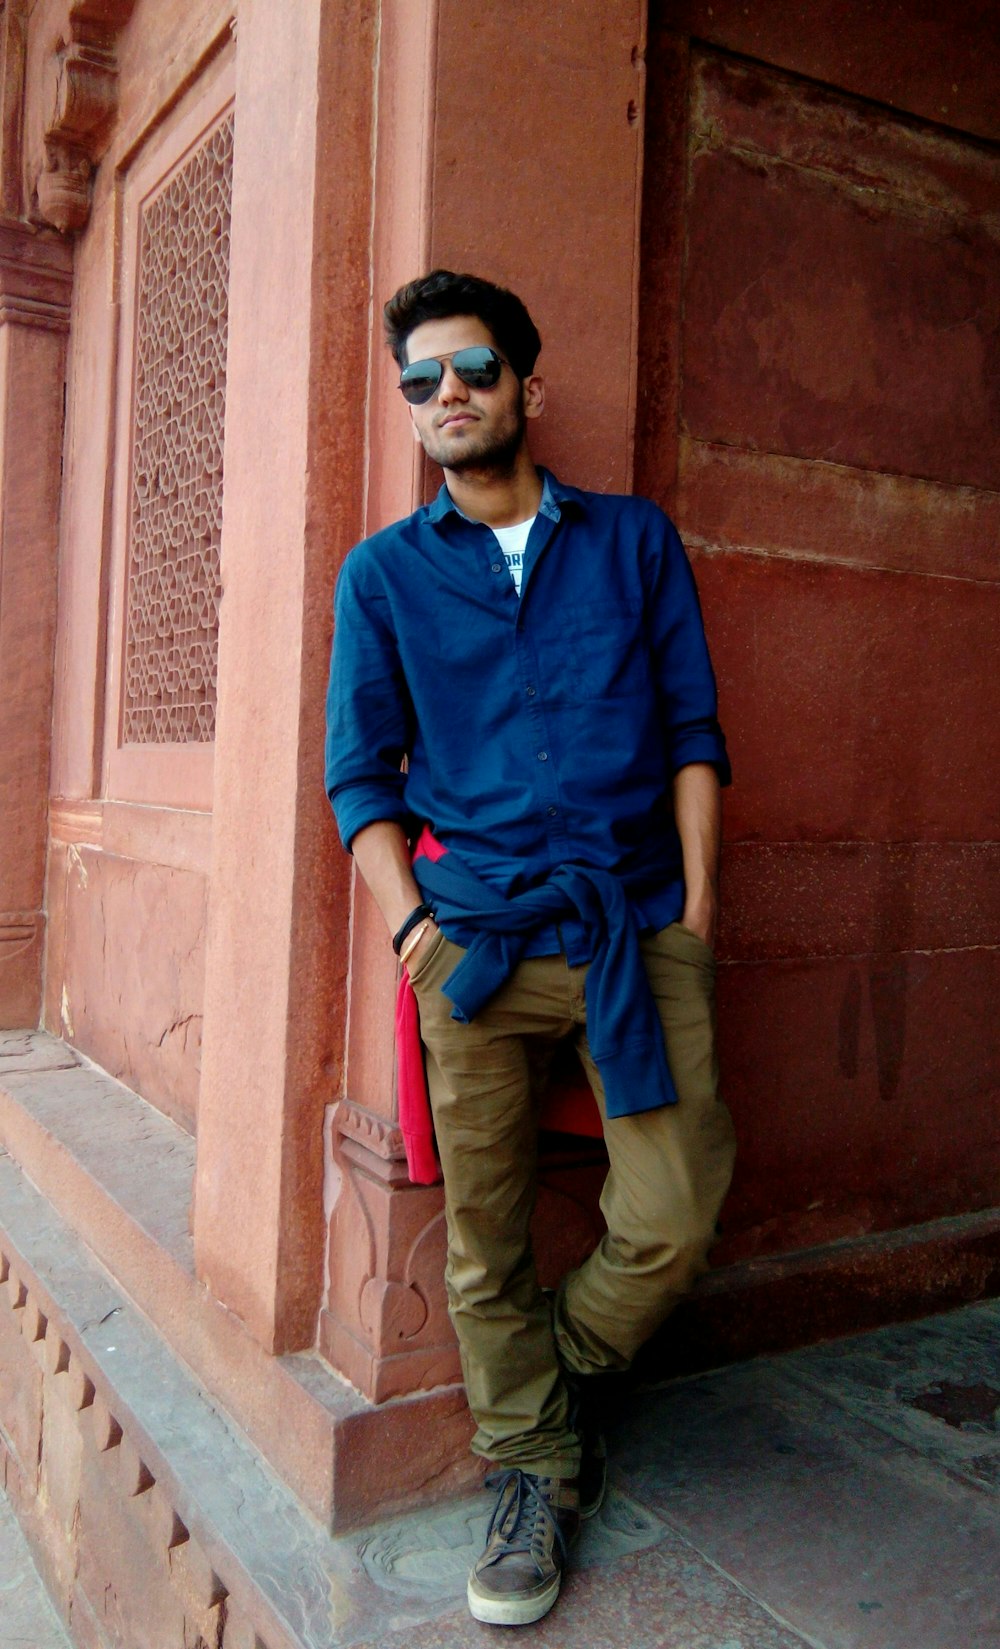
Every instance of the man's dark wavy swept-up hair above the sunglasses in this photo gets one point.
(443, 294)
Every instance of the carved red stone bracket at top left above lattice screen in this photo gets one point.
(83, 108)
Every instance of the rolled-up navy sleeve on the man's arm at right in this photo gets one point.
(686, 679)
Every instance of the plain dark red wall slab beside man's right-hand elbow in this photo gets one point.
(859, 705)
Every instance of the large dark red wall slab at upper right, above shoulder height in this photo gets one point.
(854, 322)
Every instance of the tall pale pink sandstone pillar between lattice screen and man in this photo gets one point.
(278, 921)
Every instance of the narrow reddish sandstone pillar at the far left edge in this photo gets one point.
(35, 284)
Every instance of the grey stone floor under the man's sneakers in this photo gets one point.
(841, 1498)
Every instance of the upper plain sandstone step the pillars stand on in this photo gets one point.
(121, 1175)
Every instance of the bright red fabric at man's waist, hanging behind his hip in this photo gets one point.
(568, 1107)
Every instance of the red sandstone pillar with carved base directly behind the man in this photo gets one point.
(542, 194)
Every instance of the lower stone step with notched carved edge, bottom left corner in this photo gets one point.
(139, 1485)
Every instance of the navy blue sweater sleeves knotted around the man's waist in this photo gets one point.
(623, 1023)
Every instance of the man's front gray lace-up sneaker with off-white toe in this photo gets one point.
(521, 1572)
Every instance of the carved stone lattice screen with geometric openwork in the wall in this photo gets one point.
(172, 599)
